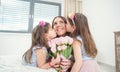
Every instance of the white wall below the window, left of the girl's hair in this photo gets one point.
(14, 44)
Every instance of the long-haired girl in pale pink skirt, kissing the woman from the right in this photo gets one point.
(79, 28)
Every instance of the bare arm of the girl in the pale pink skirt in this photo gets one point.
(77, 56)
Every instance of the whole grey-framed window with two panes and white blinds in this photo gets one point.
(23, 15)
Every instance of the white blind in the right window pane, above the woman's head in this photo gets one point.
(45, 12)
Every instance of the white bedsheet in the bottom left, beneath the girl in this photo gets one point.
(12, 63)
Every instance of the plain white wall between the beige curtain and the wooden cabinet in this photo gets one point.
(104, 20)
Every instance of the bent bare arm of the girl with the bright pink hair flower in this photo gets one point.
(41, 59)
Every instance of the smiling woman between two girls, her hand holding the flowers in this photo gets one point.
(59, 25)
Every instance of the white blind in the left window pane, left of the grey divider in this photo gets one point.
(14, 15)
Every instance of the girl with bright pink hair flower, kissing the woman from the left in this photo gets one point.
(37, 55)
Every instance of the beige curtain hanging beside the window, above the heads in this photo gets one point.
(72, 6)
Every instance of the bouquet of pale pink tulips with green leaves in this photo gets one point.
(61, 45)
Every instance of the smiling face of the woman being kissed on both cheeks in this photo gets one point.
(59, 26)
